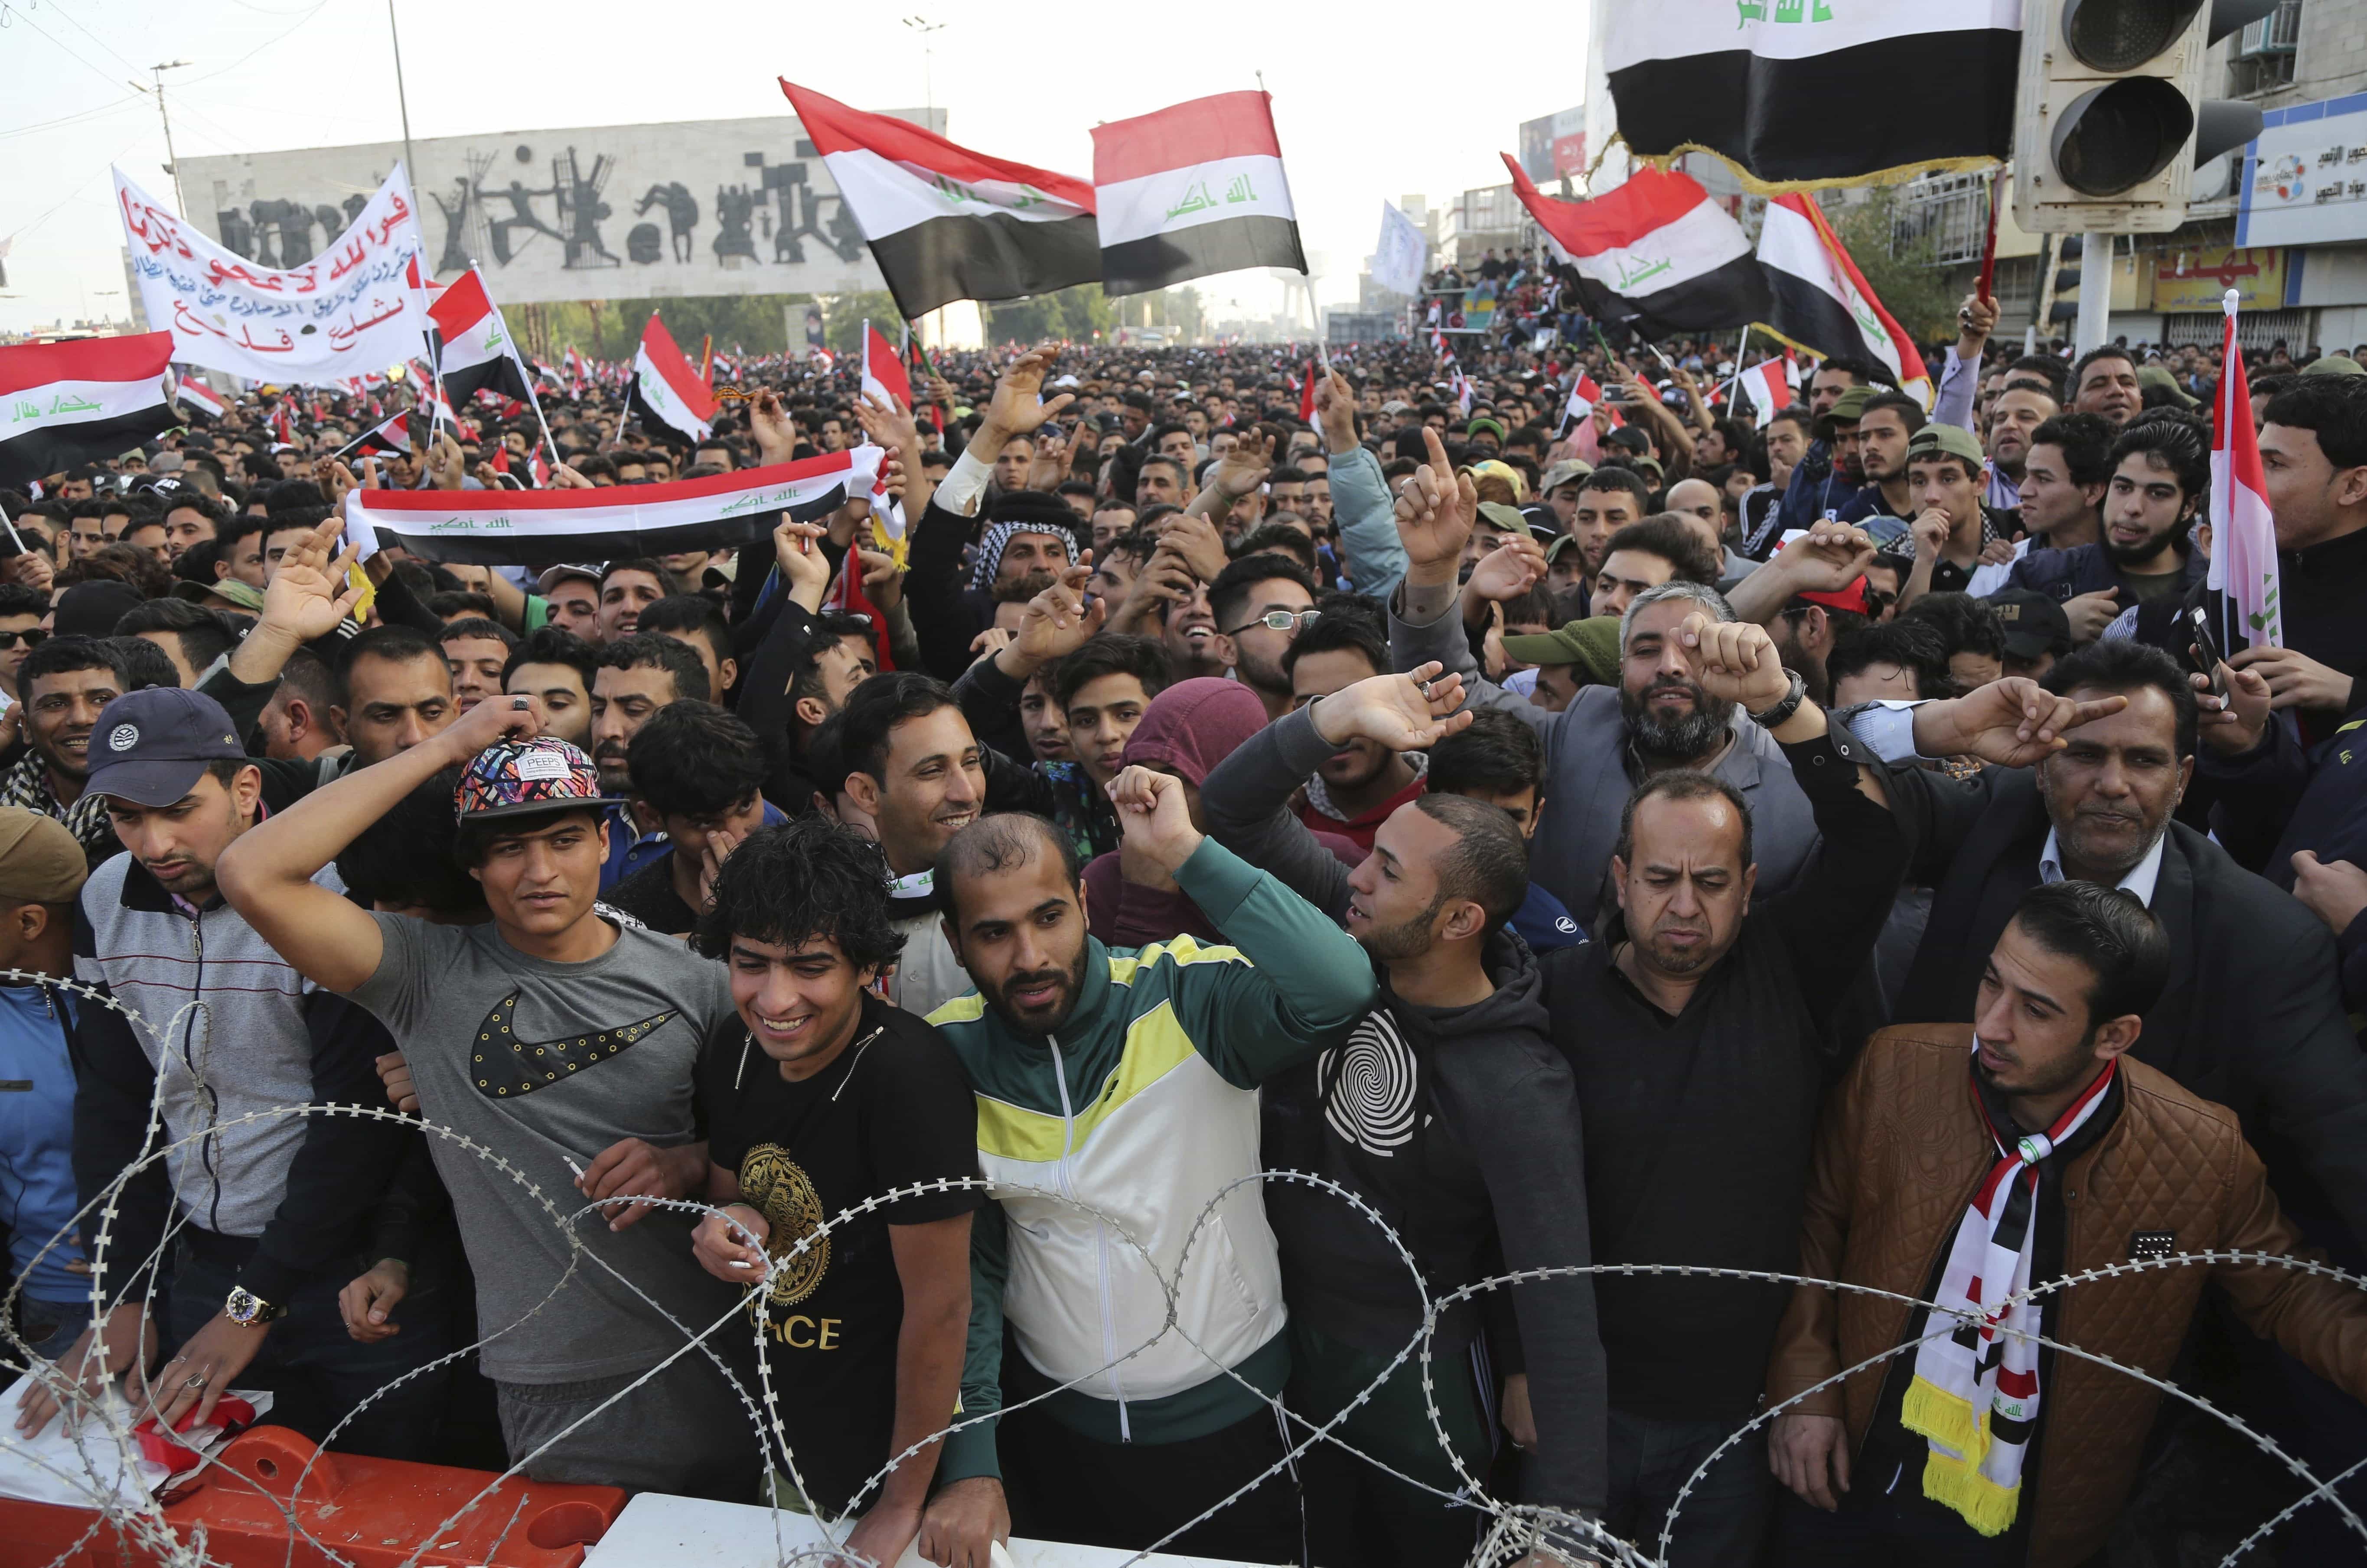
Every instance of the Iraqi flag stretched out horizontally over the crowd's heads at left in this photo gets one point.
(543, 526)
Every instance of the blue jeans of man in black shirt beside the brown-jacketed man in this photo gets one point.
(1727, 1515)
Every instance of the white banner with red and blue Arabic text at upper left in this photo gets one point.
(351, 311)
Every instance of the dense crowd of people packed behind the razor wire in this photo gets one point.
(1850, 855)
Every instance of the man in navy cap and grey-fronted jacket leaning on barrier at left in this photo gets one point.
(257, 1214)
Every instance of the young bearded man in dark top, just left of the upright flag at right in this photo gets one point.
(2160, 474)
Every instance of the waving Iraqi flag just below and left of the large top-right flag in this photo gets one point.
(1656, 252)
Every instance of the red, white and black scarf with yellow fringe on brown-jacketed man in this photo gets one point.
(1975, 1392)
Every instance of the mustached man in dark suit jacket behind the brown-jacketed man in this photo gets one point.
(2255, 1016)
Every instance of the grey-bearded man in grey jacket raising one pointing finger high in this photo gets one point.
(1606, 741)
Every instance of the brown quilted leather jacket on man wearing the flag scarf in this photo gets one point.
(1897, 1160)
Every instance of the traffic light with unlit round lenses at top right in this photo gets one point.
(2110, 119)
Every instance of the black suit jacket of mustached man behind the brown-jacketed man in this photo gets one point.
(2252, 1016)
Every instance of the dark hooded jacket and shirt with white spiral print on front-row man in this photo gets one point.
(1457, 1125)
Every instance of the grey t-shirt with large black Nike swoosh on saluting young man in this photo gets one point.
(546, 1063)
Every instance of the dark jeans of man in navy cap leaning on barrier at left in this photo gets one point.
(318, 1373)
